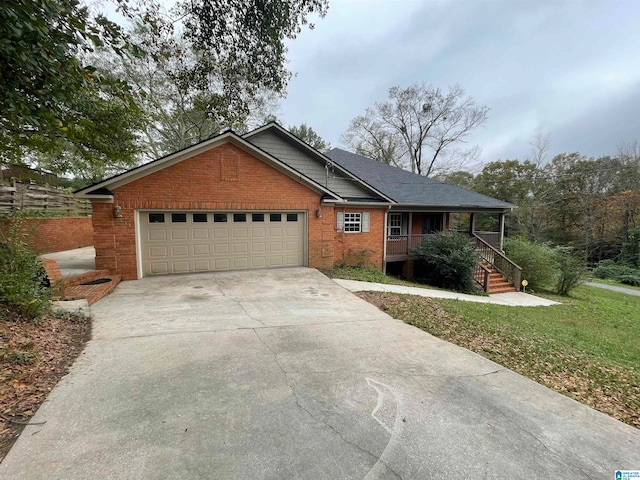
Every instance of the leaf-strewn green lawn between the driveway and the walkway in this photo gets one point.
(588, 348)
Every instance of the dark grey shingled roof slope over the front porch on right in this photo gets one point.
(410, 189)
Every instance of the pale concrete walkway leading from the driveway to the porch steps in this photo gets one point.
(512, 299)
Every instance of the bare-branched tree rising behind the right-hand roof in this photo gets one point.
(418, 125)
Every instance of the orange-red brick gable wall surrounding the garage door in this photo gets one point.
(224, 178)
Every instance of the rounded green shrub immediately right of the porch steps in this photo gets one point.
(537, 260)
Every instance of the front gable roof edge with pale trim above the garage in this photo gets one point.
(101, 191)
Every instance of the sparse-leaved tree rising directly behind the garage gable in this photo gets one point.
(178, 113)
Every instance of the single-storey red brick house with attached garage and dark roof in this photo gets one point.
(267, 199)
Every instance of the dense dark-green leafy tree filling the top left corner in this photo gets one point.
(50, 98)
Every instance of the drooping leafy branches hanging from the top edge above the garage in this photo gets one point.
(222, 56)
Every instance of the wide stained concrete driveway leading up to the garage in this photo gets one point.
(283, 374)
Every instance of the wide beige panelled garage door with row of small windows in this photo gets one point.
(182, 242)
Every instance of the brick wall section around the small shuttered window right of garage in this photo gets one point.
(348, 245)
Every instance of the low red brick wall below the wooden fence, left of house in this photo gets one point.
(47, 235)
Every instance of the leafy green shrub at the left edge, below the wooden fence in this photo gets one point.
(23, 281)
